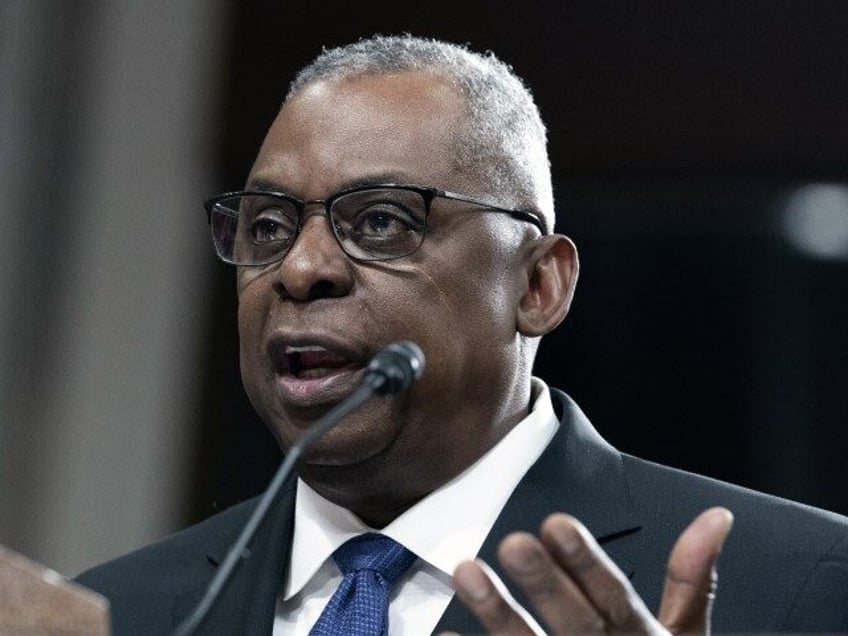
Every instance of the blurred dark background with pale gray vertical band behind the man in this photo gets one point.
(700, 158)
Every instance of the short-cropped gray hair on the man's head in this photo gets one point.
(504, 141)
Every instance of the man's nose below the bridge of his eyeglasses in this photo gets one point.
(316, 266)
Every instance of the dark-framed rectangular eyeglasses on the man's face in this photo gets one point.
(371, 223)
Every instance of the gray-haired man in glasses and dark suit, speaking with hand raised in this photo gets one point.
(404, 193)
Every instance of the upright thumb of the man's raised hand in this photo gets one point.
(691, 578)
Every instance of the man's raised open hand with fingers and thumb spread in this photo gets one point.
(576, 588)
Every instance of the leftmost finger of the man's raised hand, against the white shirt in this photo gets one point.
(490, 603)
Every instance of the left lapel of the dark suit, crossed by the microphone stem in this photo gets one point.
(247, 604)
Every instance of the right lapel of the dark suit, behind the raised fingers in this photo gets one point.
(578, 473)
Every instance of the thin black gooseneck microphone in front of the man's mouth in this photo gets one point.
(392, 369)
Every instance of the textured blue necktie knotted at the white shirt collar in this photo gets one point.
(371, 563)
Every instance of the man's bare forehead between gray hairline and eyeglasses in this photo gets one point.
(338, 132)
